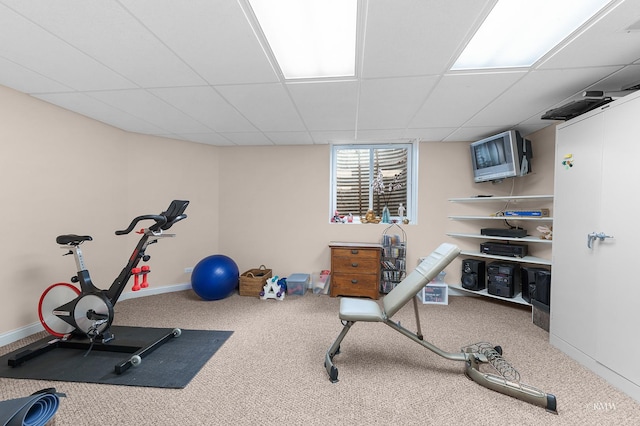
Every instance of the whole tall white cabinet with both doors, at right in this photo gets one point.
(595, 291)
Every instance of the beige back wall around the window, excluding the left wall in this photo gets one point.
(274, 206)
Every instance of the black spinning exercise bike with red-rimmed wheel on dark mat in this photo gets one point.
(81, 318)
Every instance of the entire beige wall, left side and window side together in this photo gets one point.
(64, 173)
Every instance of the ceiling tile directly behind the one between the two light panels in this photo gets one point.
(391, 102)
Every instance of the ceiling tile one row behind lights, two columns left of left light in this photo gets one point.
(205, 104)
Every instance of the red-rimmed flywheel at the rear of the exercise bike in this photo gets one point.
(52, 298)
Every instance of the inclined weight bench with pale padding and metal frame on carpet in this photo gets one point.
(353, 310)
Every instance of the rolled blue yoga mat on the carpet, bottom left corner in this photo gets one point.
(34, 410)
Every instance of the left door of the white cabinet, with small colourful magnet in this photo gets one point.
(576, 213)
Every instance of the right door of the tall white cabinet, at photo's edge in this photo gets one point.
(618, 290)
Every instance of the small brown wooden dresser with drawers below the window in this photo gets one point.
(355, 269)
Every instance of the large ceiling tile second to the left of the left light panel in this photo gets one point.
(89, 27)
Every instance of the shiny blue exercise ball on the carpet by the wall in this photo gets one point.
(215, 277)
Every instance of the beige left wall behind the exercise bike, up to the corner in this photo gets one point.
(63, 173)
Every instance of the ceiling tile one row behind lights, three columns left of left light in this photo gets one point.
(144, 105)
